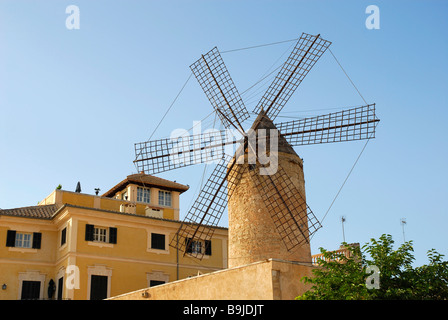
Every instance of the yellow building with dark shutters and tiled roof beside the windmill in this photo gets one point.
(80, 246)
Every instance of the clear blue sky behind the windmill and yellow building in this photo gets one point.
(74, 102)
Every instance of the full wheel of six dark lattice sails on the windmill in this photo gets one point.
(293, 219)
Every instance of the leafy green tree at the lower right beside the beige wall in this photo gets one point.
(339, 277)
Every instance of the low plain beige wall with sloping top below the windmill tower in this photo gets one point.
(264, 280)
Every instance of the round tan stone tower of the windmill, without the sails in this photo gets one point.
(253, 207)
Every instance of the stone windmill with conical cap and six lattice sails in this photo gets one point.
(280, 217)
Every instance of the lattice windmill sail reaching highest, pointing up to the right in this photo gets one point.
(304, 56)
